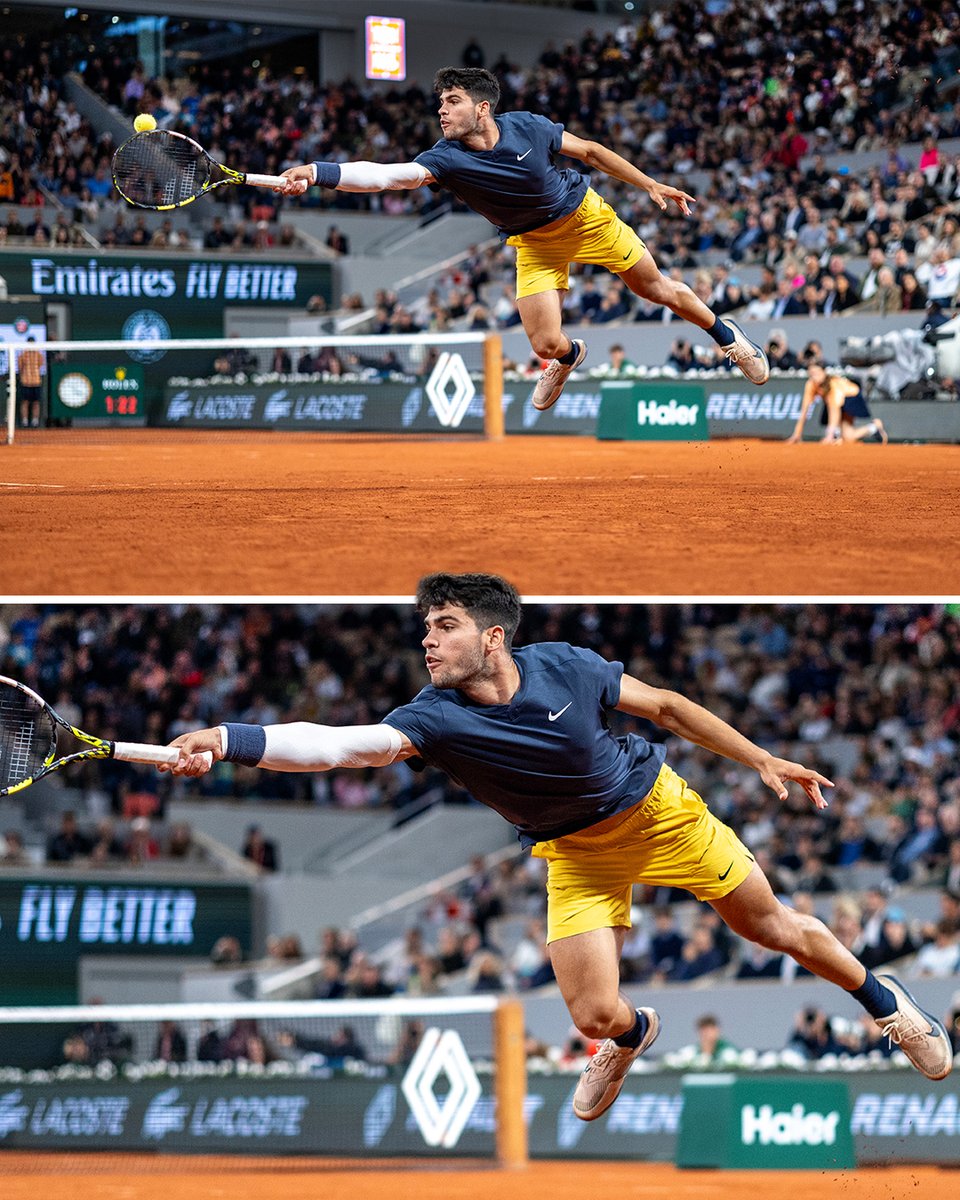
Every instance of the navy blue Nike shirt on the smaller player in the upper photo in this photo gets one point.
(517, 185)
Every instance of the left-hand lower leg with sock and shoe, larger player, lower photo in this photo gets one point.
(587, 970)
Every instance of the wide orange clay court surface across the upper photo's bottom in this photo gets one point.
(175, 514)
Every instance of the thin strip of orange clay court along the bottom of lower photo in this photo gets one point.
(26, 1177)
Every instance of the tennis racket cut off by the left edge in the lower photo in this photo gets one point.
(28, 741)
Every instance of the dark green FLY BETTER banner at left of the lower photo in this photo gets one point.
(46, 925)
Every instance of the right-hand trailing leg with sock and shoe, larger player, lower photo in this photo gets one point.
(754, 913)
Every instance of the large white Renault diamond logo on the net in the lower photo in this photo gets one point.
(441, 1053)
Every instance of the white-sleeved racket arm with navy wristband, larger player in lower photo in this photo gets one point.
(297, 747)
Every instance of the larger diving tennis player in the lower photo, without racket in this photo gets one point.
(526, 733)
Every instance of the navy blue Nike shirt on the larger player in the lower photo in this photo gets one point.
(547, 761)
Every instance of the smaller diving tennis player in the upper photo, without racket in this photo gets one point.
(503, 167)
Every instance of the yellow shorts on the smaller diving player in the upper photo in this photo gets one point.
(592, 235)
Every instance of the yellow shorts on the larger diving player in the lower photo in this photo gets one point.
(670, 839)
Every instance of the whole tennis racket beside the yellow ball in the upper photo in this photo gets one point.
(161, 170)
